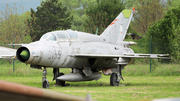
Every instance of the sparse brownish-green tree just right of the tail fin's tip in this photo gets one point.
(149, 11)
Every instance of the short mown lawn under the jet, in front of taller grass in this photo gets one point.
(133, 88)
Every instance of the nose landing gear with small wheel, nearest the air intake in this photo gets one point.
(45, 82)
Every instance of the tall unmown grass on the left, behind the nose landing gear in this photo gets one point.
(21, 69)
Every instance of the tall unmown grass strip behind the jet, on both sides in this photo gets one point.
(137, 69)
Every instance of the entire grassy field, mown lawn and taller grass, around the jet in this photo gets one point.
(139, 84)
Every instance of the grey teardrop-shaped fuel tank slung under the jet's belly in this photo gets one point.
(75, 77)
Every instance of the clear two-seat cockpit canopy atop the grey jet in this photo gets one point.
(60, 35)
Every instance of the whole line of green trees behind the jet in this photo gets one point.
(155, 19)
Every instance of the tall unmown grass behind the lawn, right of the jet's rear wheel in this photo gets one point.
(157, 69)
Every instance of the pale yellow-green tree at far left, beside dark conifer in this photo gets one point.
(13, 28)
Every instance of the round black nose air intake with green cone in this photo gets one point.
(23, 54)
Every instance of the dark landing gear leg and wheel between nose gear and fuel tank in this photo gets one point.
(56, 75)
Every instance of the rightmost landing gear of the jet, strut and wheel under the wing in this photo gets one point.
(116, 77)
